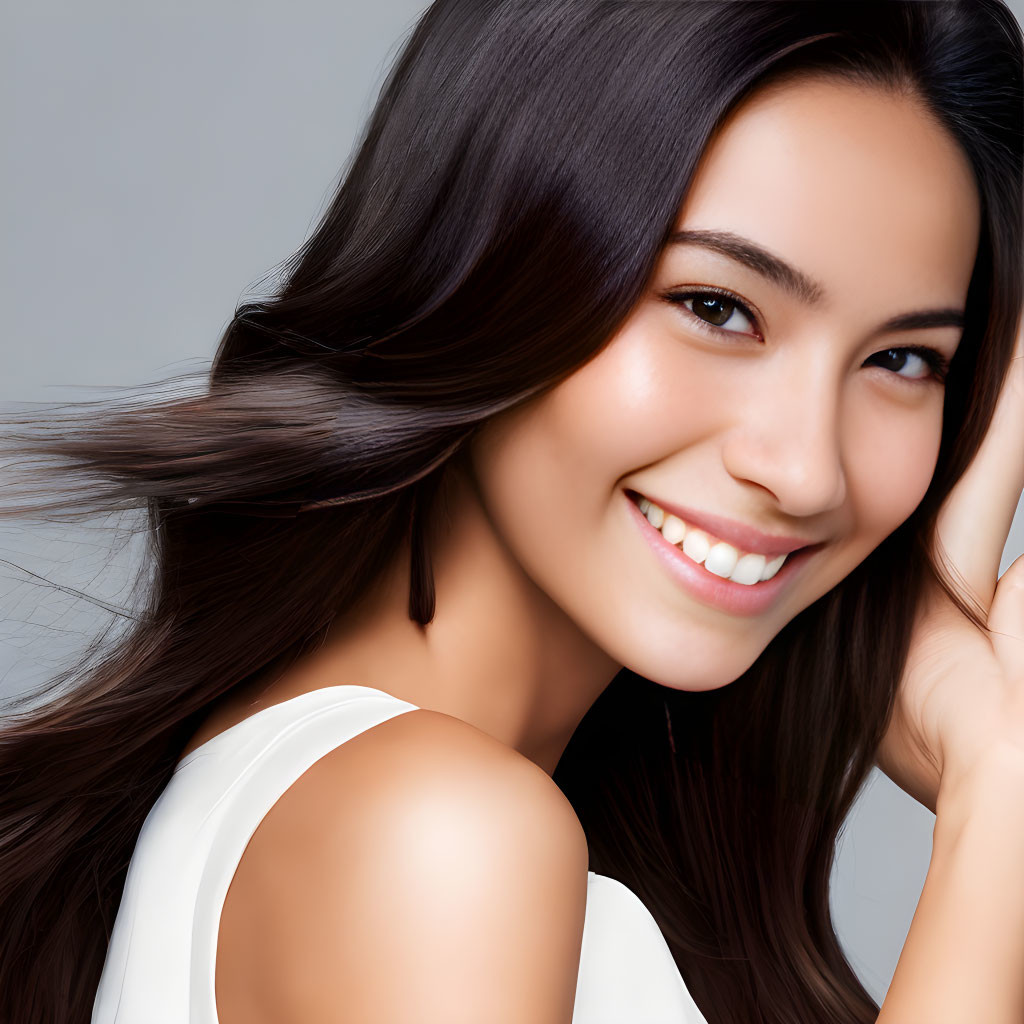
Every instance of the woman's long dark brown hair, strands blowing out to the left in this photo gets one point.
(499, 221)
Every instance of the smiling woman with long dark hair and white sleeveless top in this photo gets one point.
(621, 472)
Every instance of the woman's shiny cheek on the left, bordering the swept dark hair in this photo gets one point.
(550, 472)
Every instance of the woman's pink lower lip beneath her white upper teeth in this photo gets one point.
(716, 591)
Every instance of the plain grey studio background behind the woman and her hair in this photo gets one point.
(160, 160)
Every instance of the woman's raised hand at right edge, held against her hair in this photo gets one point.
(962, 697)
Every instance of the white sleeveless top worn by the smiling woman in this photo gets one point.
(161, 960)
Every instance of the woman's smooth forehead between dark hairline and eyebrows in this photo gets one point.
(843, 180)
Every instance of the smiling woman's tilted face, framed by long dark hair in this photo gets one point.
(760, 380)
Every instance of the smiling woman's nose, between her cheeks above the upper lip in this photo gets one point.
(788, 440)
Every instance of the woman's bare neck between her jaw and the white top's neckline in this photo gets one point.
(499, 654)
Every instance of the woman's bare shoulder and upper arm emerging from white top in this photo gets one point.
(420, 872)
